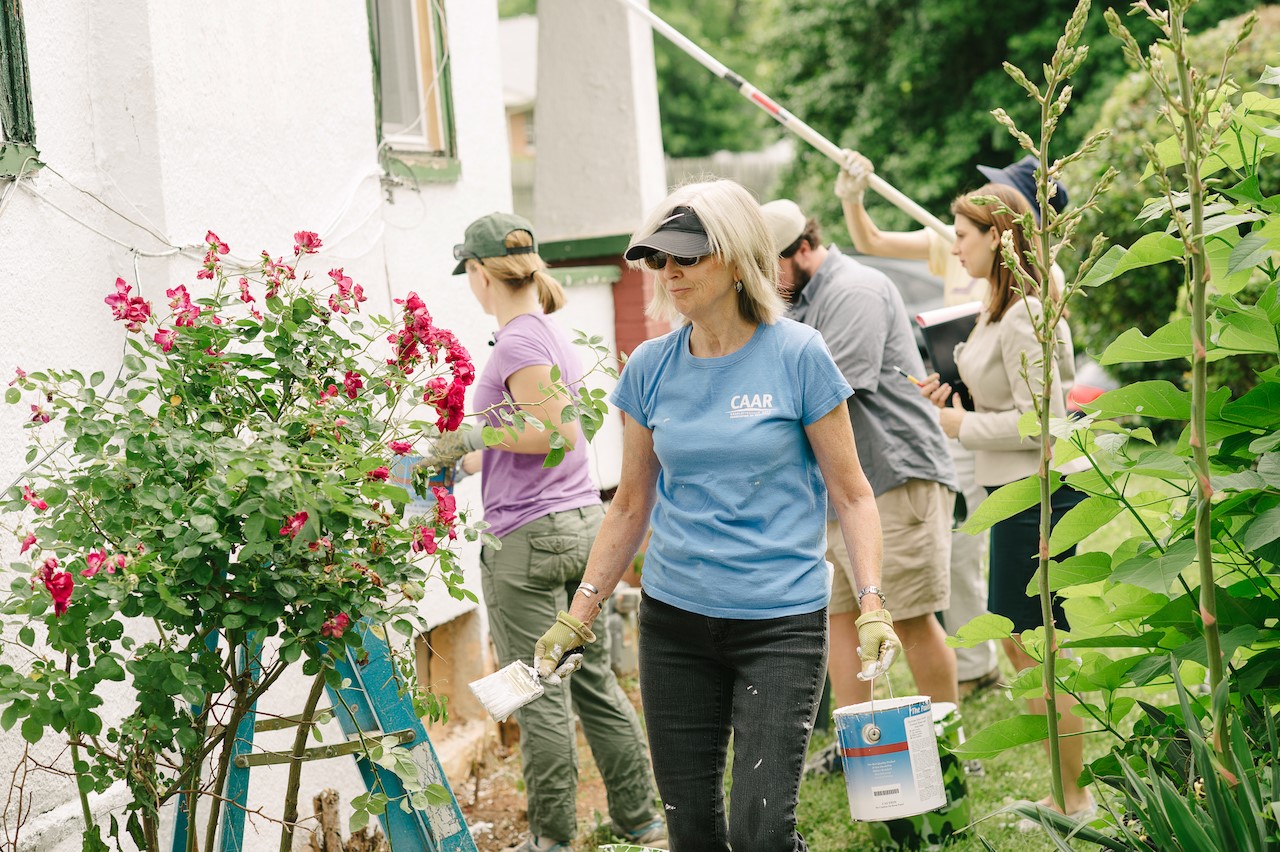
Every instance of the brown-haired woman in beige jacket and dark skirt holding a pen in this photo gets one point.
(1002, 367)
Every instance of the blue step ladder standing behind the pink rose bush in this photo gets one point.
(371, 707)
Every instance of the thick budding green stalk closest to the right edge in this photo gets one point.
(1188, 112)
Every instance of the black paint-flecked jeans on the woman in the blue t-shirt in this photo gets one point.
(702, 679)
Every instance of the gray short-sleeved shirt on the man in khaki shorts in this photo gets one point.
(861, 315)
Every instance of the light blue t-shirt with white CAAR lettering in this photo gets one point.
(739, 528)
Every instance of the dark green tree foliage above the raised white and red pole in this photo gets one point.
(911, 84)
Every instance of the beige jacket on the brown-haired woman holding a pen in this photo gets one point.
(991, 364)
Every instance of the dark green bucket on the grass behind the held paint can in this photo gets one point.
(935, 828)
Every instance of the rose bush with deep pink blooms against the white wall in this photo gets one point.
(237, 480)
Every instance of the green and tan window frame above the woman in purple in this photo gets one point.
(401, 158)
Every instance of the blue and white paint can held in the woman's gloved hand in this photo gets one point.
(890, 755)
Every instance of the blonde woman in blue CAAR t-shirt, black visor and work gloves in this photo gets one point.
(737, 437)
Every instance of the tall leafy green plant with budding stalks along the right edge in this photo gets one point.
(1192, 593)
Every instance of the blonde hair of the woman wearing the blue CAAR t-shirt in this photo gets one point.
(739, 239)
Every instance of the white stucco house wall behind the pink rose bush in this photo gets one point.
(254, 121)
